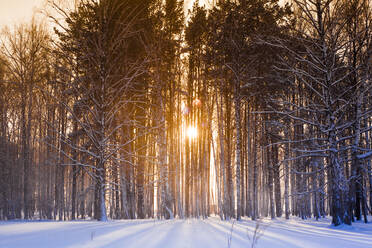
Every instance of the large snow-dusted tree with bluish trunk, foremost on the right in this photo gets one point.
(318, 71)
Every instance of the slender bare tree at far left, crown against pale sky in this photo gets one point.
(23, 49)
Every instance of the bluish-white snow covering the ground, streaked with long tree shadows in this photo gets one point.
(177, 233)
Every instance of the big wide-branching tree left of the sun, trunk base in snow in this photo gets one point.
(102, 76)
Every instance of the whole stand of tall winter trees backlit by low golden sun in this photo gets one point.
(136, 109)
